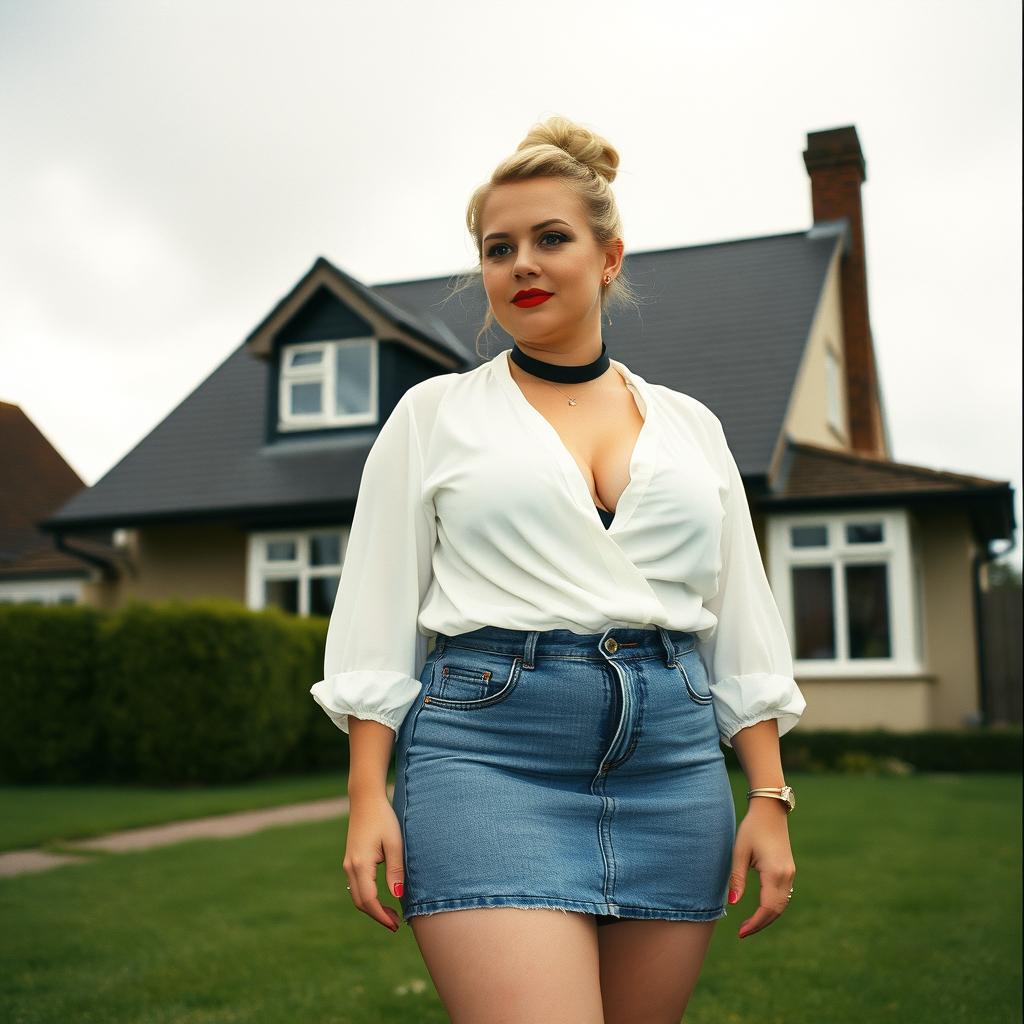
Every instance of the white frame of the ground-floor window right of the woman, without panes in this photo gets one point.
(895, 551)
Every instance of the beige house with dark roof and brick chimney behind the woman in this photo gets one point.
(246, 489)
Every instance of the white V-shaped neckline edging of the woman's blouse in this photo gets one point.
(642, 461)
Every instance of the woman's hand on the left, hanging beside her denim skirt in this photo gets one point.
(374, 836)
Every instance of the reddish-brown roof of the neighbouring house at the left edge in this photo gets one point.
(35, 480)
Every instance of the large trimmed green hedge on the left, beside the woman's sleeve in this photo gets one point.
(169, 693)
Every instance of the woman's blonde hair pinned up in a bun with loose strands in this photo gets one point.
(561, 149)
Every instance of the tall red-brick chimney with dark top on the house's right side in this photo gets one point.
(836, 165)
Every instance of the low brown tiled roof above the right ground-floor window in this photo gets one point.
(814, 477)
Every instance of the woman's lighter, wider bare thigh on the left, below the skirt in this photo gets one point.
(514, 966)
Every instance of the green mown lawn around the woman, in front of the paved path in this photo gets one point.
(907, 910)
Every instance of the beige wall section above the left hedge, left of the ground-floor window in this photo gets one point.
(186, 562)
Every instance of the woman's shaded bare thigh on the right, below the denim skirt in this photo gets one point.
(650, 968)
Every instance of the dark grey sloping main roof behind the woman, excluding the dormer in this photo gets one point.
(727, 323)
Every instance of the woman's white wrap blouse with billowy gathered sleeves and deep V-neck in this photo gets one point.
(473, 513)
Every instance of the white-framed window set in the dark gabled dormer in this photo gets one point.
(329, 383)
